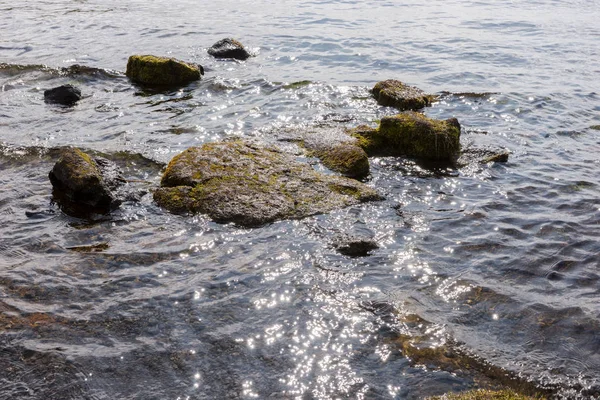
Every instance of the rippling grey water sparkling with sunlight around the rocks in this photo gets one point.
(496, 263)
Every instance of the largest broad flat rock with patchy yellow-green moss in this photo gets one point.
(251, 185)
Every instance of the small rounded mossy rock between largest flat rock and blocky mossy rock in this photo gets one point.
(346, 158)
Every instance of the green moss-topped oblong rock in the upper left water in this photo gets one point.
(161, 71)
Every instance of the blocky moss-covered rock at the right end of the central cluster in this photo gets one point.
(411, 134)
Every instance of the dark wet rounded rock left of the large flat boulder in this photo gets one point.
(80, 187)
